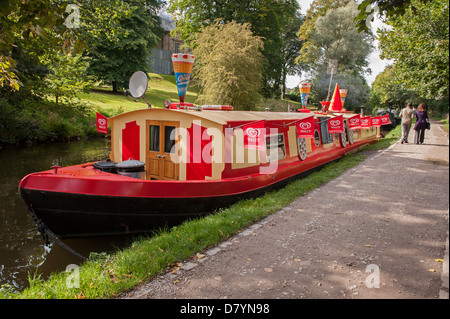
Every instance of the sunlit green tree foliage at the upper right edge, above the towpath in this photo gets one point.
(418, 42)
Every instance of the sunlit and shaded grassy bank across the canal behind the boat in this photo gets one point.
(42, 120)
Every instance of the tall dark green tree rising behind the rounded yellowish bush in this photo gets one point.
(267, 19)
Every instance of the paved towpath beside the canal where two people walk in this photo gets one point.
(378, 231)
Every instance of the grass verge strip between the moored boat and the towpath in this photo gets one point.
(106, 276)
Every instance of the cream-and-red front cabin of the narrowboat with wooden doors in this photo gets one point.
(200, 145)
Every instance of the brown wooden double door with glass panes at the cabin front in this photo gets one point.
(161, 139)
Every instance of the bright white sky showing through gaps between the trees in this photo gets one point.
(375, 63)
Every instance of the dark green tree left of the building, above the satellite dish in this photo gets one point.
(113, 62)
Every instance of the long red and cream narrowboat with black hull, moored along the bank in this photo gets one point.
(169, 165)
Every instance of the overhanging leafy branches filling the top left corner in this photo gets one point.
(46, 20)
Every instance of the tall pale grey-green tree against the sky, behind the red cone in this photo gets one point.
(334, 36)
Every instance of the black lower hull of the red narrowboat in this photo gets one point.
(71, 215)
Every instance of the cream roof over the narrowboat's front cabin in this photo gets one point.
(224, 117)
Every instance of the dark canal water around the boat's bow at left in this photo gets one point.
(22, 249)
